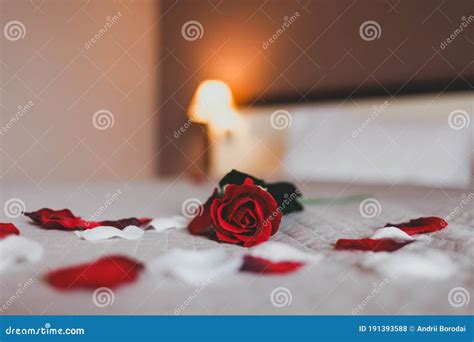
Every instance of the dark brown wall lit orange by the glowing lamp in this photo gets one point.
(321, 54)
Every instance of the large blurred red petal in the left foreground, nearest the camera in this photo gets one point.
(110, 271)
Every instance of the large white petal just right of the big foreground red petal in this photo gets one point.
(195, 267)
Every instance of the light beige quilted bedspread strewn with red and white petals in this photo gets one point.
(336, 285)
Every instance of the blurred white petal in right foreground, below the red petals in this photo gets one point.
(430, 264)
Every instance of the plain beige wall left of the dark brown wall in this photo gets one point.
(61, 81)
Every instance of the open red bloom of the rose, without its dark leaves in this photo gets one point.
(246, 214)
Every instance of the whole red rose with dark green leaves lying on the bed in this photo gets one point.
(245, 210)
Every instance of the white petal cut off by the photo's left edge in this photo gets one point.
(16, 251)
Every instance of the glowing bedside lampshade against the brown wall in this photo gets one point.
(213, 103)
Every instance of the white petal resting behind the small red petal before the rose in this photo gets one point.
(278, 252)
